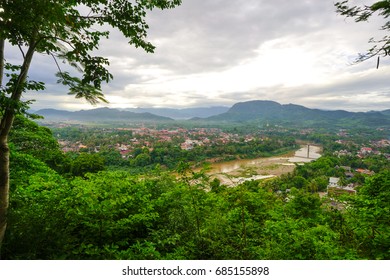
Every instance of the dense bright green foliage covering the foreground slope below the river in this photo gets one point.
(117, 215)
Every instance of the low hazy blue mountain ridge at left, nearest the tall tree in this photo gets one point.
(98, 115)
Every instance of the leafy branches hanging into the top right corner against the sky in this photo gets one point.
(381, 47)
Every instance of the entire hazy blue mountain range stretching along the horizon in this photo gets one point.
(249, 111)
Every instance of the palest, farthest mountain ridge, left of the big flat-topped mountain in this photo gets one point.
(188, 113)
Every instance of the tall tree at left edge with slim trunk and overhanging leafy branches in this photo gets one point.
(66, 30)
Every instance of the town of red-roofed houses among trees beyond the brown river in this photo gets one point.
(141, 146)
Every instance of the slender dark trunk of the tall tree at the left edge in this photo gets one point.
(6, 122)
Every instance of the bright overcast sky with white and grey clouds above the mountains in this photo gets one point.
(220, 52)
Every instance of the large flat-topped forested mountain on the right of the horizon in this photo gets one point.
(271, 111)
